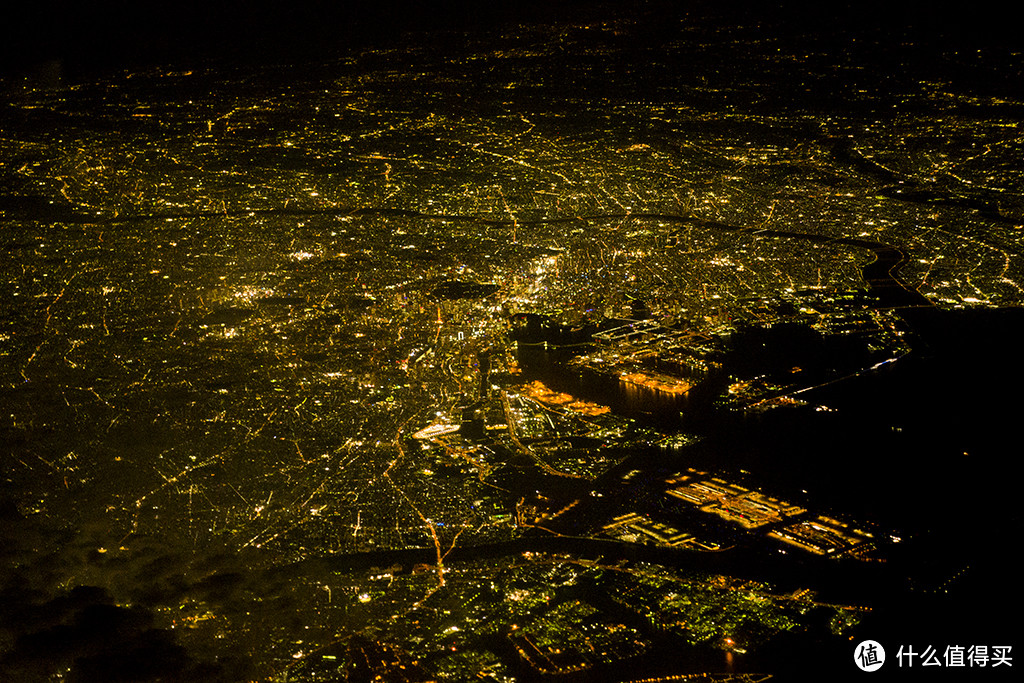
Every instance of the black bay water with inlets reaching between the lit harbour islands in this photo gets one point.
(922, 448)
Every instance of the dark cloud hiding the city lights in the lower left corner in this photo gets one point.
(82, 633)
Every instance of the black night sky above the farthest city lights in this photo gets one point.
(99, 37)
